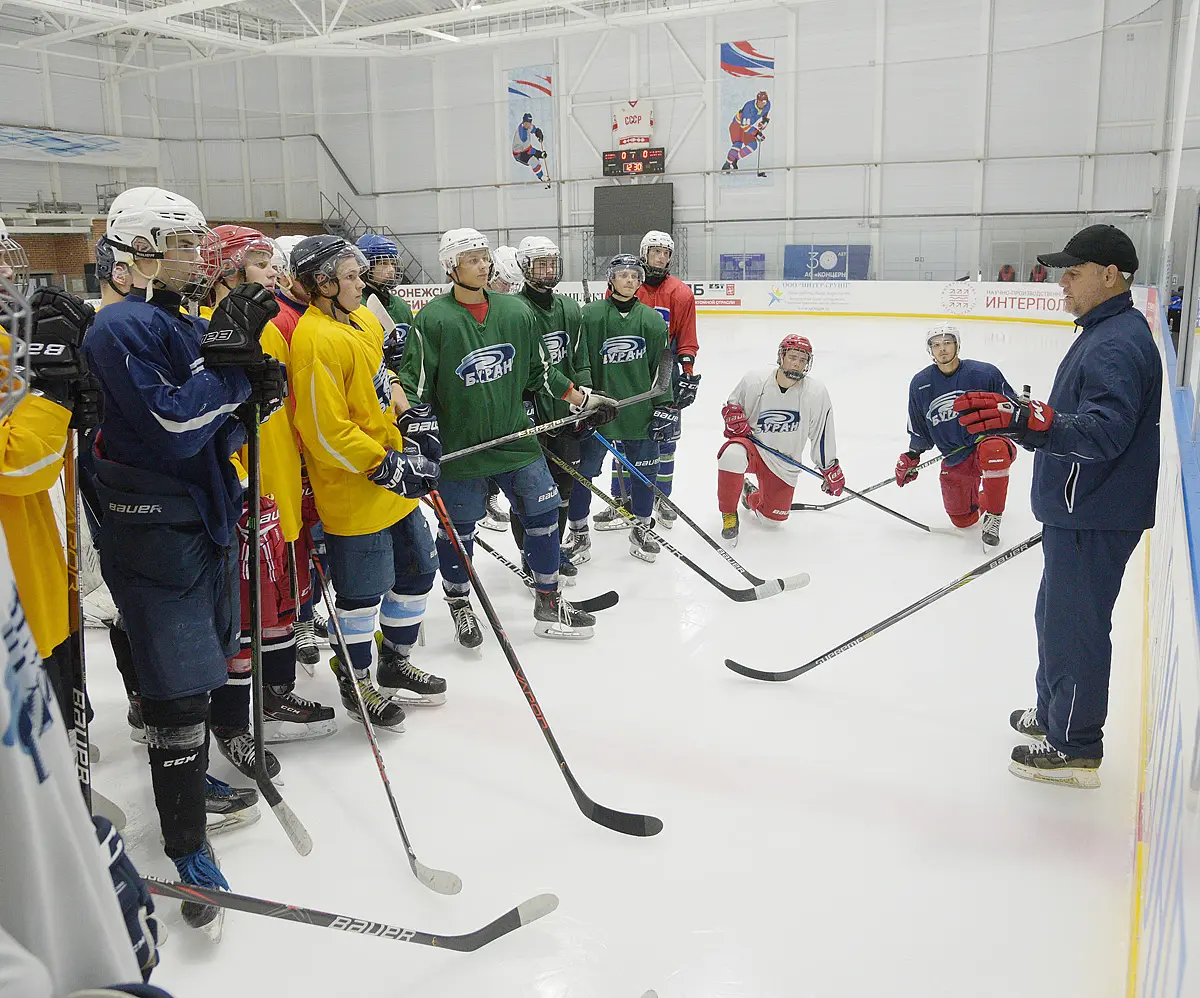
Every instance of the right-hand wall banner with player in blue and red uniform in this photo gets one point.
(746, 135)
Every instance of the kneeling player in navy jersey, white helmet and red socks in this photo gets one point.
(975, 478)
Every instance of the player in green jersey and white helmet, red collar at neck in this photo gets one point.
(472, 356)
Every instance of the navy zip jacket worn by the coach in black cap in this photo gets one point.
(1099, 471)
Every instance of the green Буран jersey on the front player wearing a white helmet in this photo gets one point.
(475, 376)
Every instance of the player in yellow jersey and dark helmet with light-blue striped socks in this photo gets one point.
(367, 477)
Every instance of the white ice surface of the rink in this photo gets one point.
(853, 834)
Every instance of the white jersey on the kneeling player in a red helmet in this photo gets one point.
(787, 419)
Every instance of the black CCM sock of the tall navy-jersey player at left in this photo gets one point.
(178, 742)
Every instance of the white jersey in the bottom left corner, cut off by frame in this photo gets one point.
(62, 928)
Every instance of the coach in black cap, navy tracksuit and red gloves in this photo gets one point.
(1095, 480)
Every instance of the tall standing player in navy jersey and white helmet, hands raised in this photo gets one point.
(171, 495)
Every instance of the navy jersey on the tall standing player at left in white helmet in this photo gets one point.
(164, 411)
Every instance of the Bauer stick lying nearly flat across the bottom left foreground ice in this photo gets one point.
(525, 913)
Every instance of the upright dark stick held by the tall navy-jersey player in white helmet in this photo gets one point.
(296, 832)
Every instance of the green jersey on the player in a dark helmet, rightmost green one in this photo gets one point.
(622, 356)
